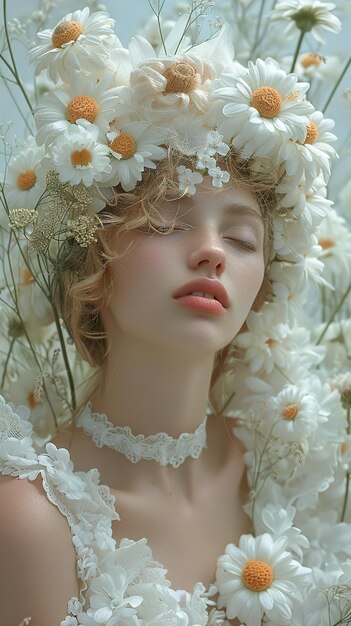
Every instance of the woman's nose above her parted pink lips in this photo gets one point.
(208, 253)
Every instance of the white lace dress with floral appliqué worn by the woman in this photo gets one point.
(120, 585)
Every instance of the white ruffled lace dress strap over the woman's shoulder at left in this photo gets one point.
(87, 506)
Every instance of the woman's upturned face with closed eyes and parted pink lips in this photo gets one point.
(218, 239)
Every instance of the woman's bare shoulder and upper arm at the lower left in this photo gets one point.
(38, 564)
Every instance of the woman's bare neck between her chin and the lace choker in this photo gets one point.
(152, 389)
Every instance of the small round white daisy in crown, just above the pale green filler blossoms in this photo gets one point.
(78, 157)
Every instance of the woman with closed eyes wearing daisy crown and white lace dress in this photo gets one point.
(154, 294)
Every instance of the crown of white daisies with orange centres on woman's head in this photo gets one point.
(112, 114)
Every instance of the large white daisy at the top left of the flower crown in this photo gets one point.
(79, 41)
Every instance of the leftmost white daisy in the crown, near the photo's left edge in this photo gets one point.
(25, 180)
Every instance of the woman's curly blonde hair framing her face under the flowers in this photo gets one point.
(85, 282)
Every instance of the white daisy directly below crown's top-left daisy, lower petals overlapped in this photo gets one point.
(89, 99)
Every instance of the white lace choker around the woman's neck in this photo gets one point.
(162, 448)
